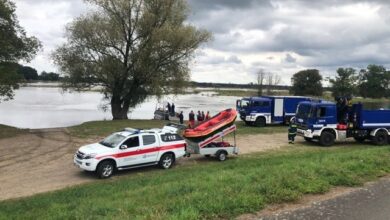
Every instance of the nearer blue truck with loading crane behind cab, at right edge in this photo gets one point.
(327, 122)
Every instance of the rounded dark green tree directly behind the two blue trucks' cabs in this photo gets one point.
(307, 82)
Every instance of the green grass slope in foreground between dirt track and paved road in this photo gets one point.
(211, 189)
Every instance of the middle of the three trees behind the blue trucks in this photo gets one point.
(345, 83)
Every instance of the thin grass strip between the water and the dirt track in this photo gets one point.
(103, 128)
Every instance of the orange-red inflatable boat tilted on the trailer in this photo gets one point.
(211, 126)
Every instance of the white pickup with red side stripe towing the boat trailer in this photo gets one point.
(131, 148)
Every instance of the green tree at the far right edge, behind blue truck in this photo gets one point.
(374, 82)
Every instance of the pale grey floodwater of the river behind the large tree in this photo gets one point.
(45, 107)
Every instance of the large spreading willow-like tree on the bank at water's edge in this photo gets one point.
(132, 48)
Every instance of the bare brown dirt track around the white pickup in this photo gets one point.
(41, 160)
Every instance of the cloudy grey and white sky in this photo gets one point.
(277, 36)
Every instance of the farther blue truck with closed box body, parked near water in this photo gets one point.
(263, 110)
